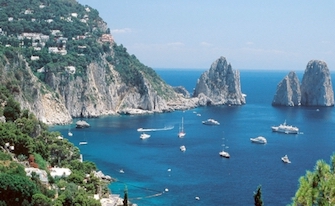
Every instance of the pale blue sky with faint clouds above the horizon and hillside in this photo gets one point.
(252, 34)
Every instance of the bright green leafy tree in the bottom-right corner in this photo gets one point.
(317, 187)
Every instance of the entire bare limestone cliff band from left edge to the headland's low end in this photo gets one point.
(69, 96)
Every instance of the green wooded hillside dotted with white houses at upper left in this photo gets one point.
(79, 28)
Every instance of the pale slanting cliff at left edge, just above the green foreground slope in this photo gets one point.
(32, 94)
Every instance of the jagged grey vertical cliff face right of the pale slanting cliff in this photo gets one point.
(95, 97)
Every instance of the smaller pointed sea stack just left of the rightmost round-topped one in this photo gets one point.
(288, 91)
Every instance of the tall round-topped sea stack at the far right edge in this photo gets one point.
(316, 85)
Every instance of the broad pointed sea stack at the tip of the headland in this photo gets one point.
(220, 85)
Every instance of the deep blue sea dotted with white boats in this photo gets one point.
(153, 165)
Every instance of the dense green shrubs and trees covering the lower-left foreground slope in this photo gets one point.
(31, 138)
